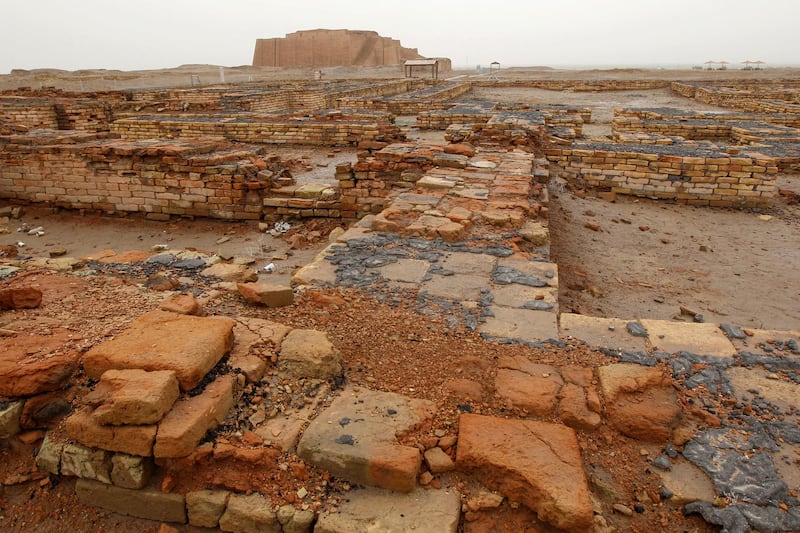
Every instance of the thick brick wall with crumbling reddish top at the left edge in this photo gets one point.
(157, 178)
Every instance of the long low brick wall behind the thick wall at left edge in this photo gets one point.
(317, 133)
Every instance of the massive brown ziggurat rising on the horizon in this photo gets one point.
(334, 48)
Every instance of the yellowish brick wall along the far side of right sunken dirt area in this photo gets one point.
(695, 178)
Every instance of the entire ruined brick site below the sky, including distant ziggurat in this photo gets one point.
(322, 294)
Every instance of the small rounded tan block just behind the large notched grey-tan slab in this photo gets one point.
(309, 353)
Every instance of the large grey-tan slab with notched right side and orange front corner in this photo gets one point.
(356, 438)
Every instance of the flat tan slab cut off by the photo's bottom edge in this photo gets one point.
(374, 509)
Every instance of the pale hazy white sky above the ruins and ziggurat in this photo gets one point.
(147, 34)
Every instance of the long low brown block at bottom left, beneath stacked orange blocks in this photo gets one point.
(147, 504)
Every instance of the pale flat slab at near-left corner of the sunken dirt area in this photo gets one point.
(603, 332)
